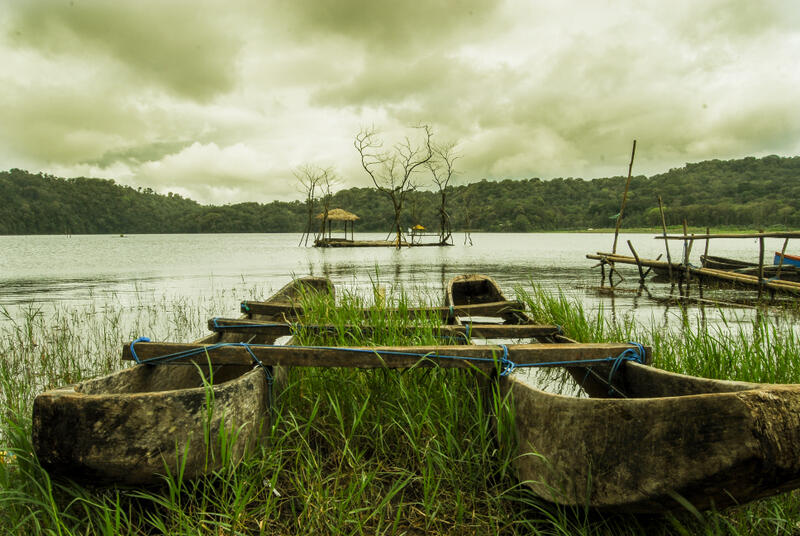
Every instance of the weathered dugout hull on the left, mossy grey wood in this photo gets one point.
(133, 426)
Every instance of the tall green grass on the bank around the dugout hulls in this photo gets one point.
(353, 452)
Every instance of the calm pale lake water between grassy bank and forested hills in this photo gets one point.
(86, 270)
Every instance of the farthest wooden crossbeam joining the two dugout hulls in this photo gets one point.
(483, 309)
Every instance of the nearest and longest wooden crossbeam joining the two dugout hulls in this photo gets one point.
(381, 357)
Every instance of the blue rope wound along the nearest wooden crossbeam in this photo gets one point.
(507, 366)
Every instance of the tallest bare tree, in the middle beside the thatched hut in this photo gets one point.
(392, 171)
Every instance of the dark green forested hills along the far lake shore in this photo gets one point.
(751, 192)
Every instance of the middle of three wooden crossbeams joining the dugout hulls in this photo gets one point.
(277, 329)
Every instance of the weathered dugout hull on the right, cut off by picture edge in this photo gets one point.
(653, 441)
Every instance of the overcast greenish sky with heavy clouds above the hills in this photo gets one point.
(221, 101)
